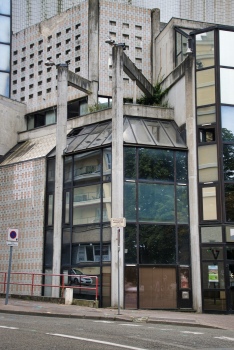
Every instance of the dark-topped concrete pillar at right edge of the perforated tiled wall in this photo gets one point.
(155, 30)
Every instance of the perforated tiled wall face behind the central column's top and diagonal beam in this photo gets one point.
(129, 24)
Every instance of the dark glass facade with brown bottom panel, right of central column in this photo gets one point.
(157, 232)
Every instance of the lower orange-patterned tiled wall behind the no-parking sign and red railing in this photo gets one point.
(22, 188)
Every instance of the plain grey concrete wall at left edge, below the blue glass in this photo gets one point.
(12, 120)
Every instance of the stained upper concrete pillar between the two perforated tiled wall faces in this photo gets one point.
(93, 42)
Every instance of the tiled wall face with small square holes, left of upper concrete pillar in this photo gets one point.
(62, 38)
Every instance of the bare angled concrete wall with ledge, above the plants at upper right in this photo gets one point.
(165, 44)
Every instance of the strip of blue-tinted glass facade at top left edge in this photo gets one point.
(5, 47)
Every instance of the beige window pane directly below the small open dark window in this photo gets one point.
(207, 163)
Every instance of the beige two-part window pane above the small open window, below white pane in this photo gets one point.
(205, 87)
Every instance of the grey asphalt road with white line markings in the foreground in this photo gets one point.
(37, 332)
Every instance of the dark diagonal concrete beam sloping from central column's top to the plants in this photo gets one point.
(133, 72)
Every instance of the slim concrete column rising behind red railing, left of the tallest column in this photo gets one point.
(61, 139)
